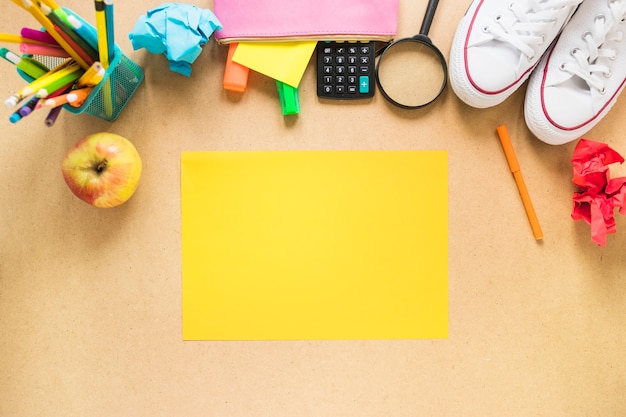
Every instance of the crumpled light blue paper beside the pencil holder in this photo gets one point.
(177, 30)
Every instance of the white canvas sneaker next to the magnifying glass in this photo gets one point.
(499, 42)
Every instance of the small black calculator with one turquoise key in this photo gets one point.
(345, 70)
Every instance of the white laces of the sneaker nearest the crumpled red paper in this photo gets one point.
(586, 65)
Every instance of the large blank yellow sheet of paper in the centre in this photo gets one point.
(321, 245)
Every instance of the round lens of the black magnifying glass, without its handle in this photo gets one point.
(411, 73)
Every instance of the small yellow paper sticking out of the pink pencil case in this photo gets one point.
(283, 61)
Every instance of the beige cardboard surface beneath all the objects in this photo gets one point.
(90, 312)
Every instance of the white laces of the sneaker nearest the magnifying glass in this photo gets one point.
(531, 20)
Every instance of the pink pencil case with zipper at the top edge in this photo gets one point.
(274, 20)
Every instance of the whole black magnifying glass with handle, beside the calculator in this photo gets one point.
(412, 72)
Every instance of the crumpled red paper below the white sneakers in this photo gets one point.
(599, 195)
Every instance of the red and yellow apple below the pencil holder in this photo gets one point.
(102, 169)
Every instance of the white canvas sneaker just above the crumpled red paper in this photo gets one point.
(577, 83)
